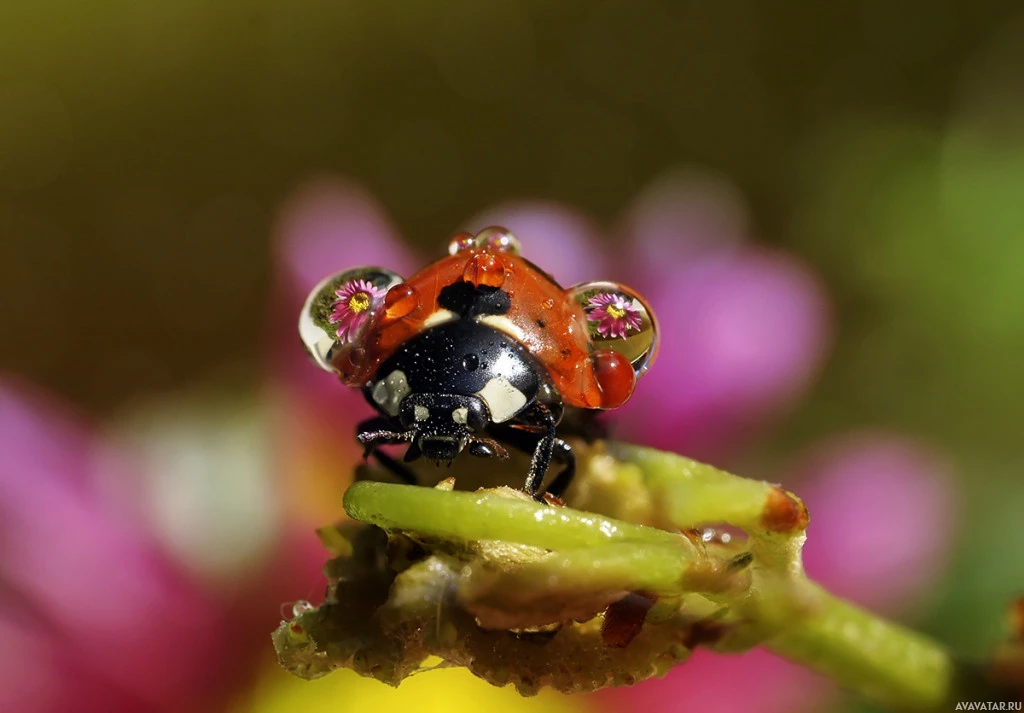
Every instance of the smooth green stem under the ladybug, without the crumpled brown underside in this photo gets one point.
(664, 495)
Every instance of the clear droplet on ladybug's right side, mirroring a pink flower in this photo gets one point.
(619, 319)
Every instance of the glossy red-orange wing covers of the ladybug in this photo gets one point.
(543, 318)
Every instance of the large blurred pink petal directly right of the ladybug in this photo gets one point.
(743, 337)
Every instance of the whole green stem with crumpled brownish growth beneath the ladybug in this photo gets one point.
(631, 578)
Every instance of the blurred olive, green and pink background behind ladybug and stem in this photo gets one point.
(824, 202)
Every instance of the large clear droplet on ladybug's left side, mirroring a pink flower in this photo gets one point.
(339, 310)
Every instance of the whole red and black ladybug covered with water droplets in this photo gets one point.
(479, 351)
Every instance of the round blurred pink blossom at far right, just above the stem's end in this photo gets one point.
(884, 517)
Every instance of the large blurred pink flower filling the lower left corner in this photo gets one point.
(94, 615)
